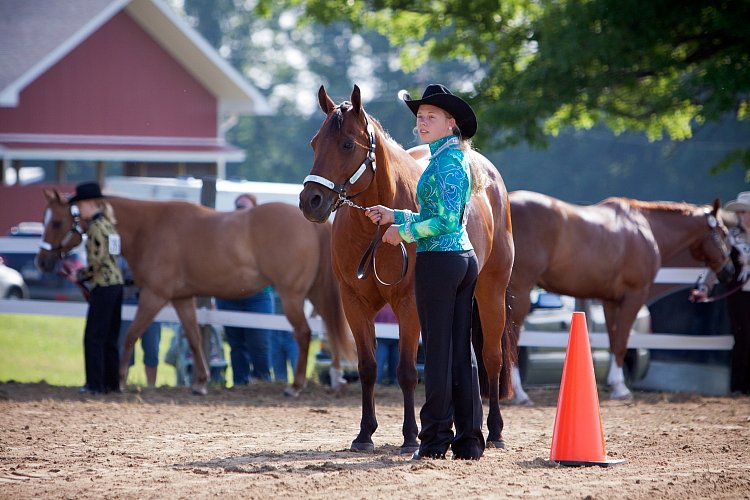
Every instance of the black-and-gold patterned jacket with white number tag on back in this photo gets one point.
(102, 249)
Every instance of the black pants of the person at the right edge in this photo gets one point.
(738, 305)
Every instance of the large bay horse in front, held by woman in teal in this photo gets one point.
(389, 177)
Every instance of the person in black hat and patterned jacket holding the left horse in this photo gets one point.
(105, 278)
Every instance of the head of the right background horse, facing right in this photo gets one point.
(712, 248)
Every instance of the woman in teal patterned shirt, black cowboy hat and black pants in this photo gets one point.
(445, 275)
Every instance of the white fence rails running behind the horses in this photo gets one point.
(676, 275)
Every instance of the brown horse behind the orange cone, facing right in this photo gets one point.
(609, 251)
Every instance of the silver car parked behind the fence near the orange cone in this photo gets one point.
(552, 312)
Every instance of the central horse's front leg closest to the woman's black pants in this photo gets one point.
(406, 371)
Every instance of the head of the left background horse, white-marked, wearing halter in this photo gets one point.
(62, 231)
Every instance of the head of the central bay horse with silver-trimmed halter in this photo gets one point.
(344, 149)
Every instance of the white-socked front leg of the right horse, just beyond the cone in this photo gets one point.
(620, 317)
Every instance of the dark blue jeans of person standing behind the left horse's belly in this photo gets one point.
(249, 346)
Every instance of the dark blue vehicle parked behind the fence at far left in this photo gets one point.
(44, 286)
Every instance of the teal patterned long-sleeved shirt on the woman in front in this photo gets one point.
(443, 191)
